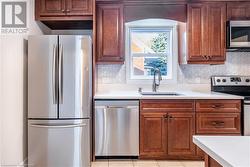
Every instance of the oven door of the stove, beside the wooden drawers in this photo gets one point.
(247, 118)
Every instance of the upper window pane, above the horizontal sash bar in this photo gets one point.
(150, 41)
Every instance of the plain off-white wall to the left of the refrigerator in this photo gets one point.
(13, 103)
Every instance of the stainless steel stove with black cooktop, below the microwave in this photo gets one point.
(237, 85)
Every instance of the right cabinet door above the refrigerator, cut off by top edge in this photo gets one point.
(79, 7)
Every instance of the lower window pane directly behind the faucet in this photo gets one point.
(144, 66)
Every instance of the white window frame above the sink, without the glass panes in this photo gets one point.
(160, 24)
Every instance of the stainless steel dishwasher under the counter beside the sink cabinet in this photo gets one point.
(116, 128)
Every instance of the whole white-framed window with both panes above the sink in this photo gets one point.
(150, 45)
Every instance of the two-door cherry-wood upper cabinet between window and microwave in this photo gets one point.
(206, 33)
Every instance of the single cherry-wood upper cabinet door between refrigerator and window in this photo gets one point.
(110, 33)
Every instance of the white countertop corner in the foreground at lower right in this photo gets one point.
(229, 151)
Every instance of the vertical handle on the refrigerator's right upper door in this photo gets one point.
(60, 74)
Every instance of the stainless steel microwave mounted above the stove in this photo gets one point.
(238, 34)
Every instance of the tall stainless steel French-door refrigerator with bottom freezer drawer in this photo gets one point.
(59, 100)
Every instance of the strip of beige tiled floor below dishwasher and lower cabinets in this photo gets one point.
(140, 163)
